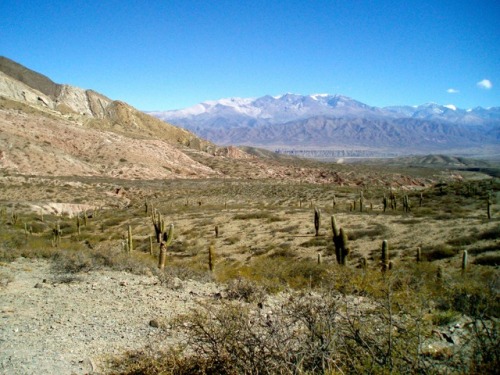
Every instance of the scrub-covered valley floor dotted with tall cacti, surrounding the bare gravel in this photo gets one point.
(287, 305)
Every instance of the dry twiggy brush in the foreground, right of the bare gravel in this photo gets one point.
(381, 326)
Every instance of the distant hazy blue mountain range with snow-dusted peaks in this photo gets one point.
(325, 125)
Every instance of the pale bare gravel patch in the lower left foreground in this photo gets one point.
(49, 325)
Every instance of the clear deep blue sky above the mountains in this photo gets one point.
(159, 55)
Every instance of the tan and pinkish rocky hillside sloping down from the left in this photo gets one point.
(52, 129)
